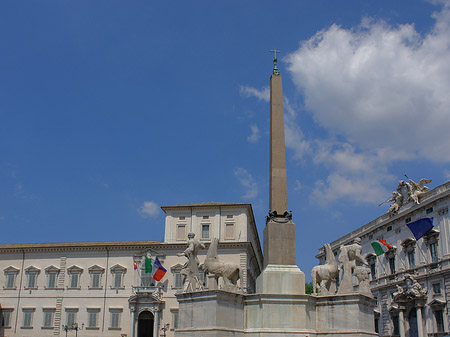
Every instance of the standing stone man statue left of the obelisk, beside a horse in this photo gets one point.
(190, 268)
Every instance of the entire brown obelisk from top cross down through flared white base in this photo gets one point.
(281, 274)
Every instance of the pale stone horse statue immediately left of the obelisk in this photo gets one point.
(230, 272)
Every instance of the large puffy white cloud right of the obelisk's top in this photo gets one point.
(381, 87)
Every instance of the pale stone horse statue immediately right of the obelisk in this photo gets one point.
(324, 276)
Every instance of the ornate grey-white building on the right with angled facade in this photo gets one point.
(427, 260)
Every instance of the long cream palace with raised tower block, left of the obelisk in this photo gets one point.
(46, 286)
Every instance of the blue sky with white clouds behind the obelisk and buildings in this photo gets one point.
(110, 109)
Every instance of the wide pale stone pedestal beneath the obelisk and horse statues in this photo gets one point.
(217, 313)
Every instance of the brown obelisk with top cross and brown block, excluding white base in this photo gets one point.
(279, 234)
